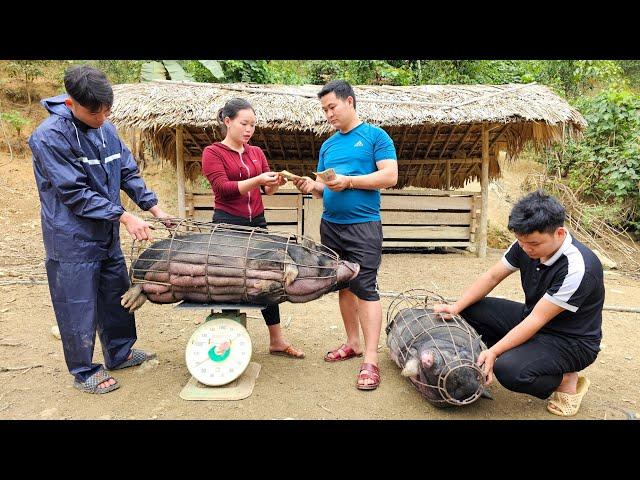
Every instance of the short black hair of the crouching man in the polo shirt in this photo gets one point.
(536, 212)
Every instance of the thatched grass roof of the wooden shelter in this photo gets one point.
(429, 123)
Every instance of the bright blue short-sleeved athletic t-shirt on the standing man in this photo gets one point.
(354, 153)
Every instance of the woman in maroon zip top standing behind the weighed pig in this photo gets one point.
(238, 172)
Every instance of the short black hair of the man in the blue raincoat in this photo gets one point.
(89, 87)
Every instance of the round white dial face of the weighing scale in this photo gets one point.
(218, 352)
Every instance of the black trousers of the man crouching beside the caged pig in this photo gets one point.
(535, 367)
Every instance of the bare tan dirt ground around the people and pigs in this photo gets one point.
(35, 384)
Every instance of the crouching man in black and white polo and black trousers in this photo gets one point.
(539, 347)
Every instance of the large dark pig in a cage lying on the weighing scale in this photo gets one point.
(206, 262)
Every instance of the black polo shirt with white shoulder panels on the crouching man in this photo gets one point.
(572, 279)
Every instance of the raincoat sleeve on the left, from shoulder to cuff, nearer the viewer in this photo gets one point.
(70, 182)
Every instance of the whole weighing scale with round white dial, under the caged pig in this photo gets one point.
(218, 354)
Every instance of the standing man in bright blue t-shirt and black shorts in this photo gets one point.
(364, 160)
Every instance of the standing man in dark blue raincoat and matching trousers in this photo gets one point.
(80, 165)
